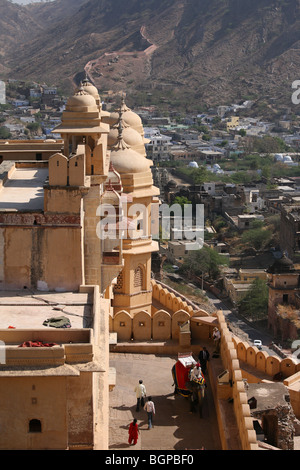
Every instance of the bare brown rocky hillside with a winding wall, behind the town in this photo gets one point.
(210, 51)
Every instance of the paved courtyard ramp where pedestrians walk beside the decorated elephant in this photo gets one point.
(175, 428)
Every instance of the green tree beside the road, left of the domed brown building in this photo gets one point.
(255, 303)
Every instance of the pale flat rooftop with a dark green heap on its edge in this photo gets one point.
(28, 309)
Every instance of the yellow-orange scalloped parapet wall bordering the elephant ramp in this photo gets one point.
(240, 359)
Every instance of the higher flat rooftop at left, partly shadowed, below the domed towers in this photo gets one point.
(24, 190)
